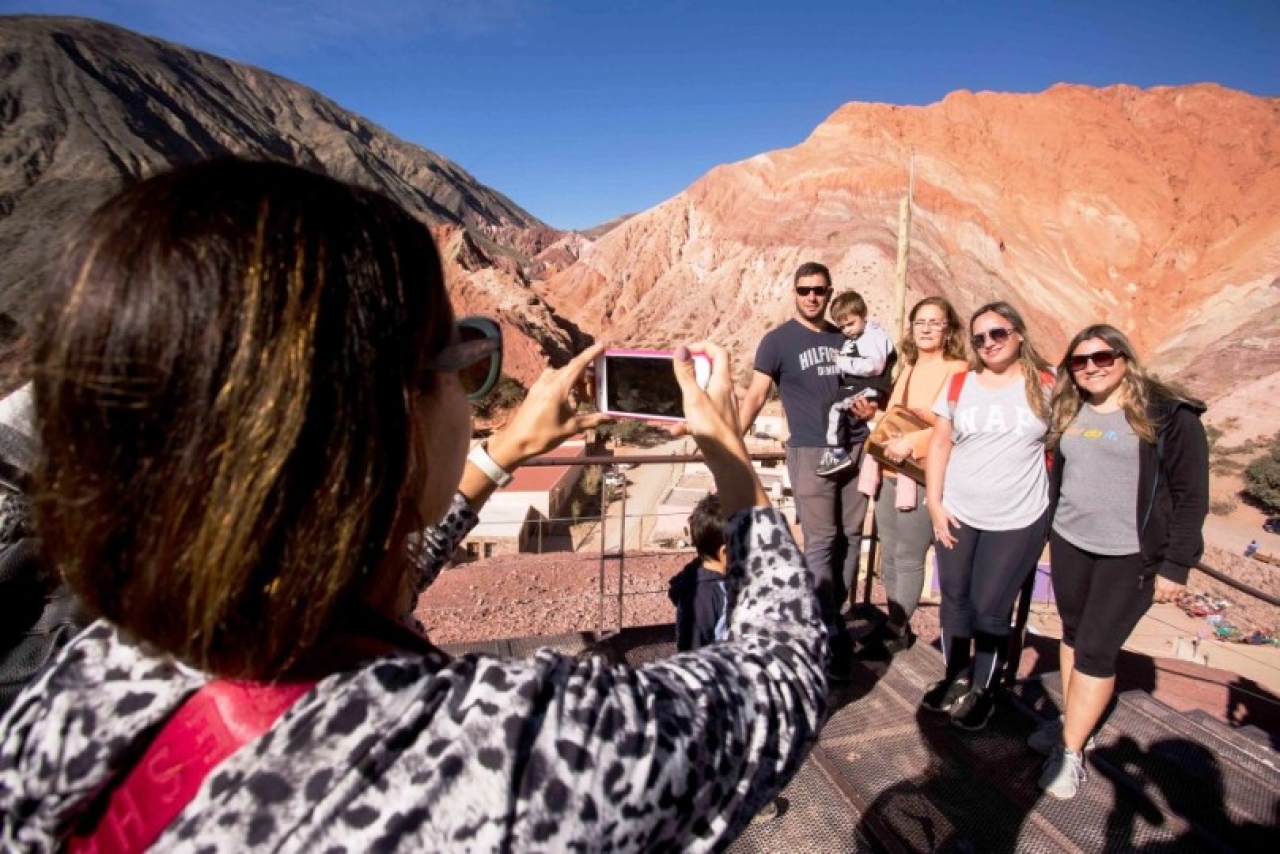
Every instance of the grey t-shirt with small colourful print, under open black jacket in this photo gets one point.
(1098, 509)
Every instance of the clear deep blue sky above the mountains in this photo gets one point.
(582, 111)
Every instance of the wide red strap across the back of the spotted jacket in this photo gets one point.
(212, 725)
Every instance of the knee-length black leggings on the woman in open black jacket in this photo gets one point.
(1100, 599)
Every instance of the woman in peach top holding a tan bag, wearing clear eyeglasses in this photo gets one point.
(934, 350)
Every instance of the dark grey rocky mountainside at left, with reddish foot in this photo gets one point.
(86, 107)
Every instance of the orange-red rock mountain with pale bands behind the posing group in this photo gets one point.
(1158, 211)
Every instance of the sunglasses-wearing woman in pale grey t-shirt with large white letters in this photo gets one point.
(988, 494)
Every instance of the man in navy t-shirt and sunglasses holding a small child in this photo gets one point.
(801, 358)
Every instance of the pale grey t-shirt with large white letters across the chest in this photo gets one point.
(996, 477)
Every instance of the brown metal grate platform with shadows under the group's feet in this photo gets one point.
(886, 775)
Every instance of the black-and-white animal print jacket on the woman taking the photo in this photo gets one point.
(429, 753)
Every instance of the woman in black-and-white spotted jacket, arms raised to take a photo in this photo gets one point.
(253, 398)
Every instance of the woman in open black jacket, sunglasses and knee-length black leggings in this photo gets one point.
(1131, 494)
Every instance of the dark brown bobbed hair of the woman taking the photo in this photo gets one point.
(223, 387)
